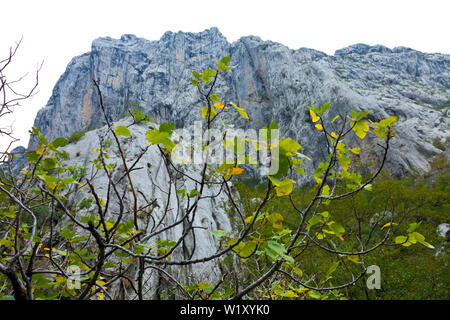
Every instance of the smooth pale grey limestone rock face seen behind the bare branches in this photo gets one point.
(151, 182)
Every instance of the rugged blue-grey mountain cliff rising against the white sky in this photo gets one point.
(270, 80)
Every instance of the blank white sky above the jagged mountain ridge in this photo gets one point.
(55, 31)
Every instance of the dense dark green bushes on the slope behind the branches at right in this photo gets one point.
(405, 273)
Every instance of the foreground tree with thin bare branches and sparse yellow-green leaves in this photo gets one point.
(36, 255)
